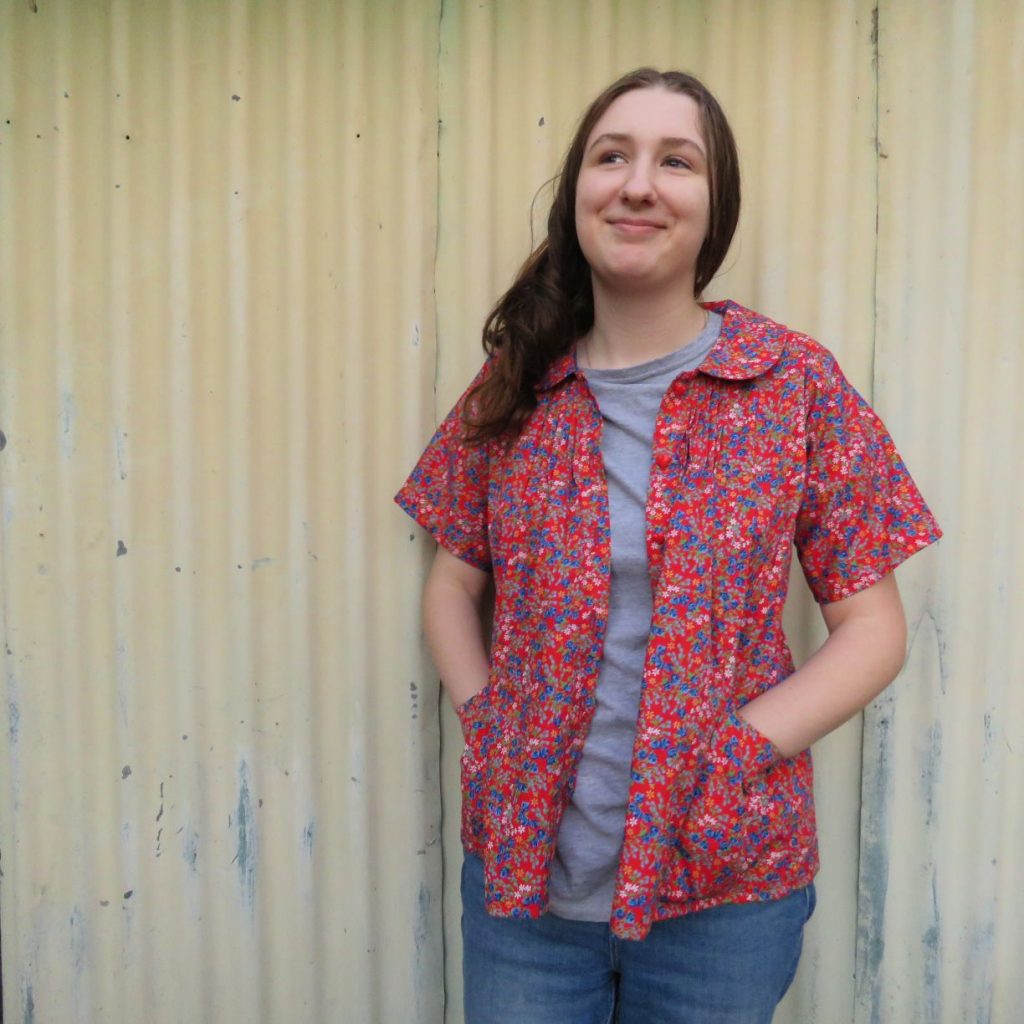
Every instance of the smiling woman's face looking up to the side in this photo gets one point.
(643, 196)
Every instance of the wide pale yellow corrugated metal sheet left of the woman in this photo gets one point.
(220, 797)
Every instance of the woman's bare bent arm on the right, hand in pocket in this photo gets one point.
(865, 652)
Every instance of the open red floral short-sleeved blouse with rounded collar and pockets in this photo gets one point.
(765, 448)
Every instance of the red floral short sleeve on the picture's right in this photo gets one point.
(862, 514)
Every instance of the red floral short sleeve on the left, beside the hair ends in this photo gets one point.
(447, 493)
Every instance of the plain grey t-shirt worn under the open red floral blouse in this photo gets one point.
(590, 837)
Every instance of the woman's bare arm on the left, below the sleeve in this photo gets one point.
(453, 601)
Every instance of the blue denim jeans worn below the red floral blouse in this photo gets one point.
(730, 965)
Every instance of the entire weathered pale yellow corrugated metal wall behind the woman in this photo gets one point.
(245, 253)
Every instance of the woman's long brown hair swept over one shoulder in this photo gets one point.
(551, 303)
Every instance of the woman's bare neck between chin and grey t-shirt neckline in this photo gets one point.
(633, 329)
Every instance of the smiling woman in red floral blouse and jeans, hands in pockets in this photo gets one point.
(632, 468)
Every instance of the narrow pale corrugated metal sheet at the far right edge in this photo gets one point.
(942, 886)
